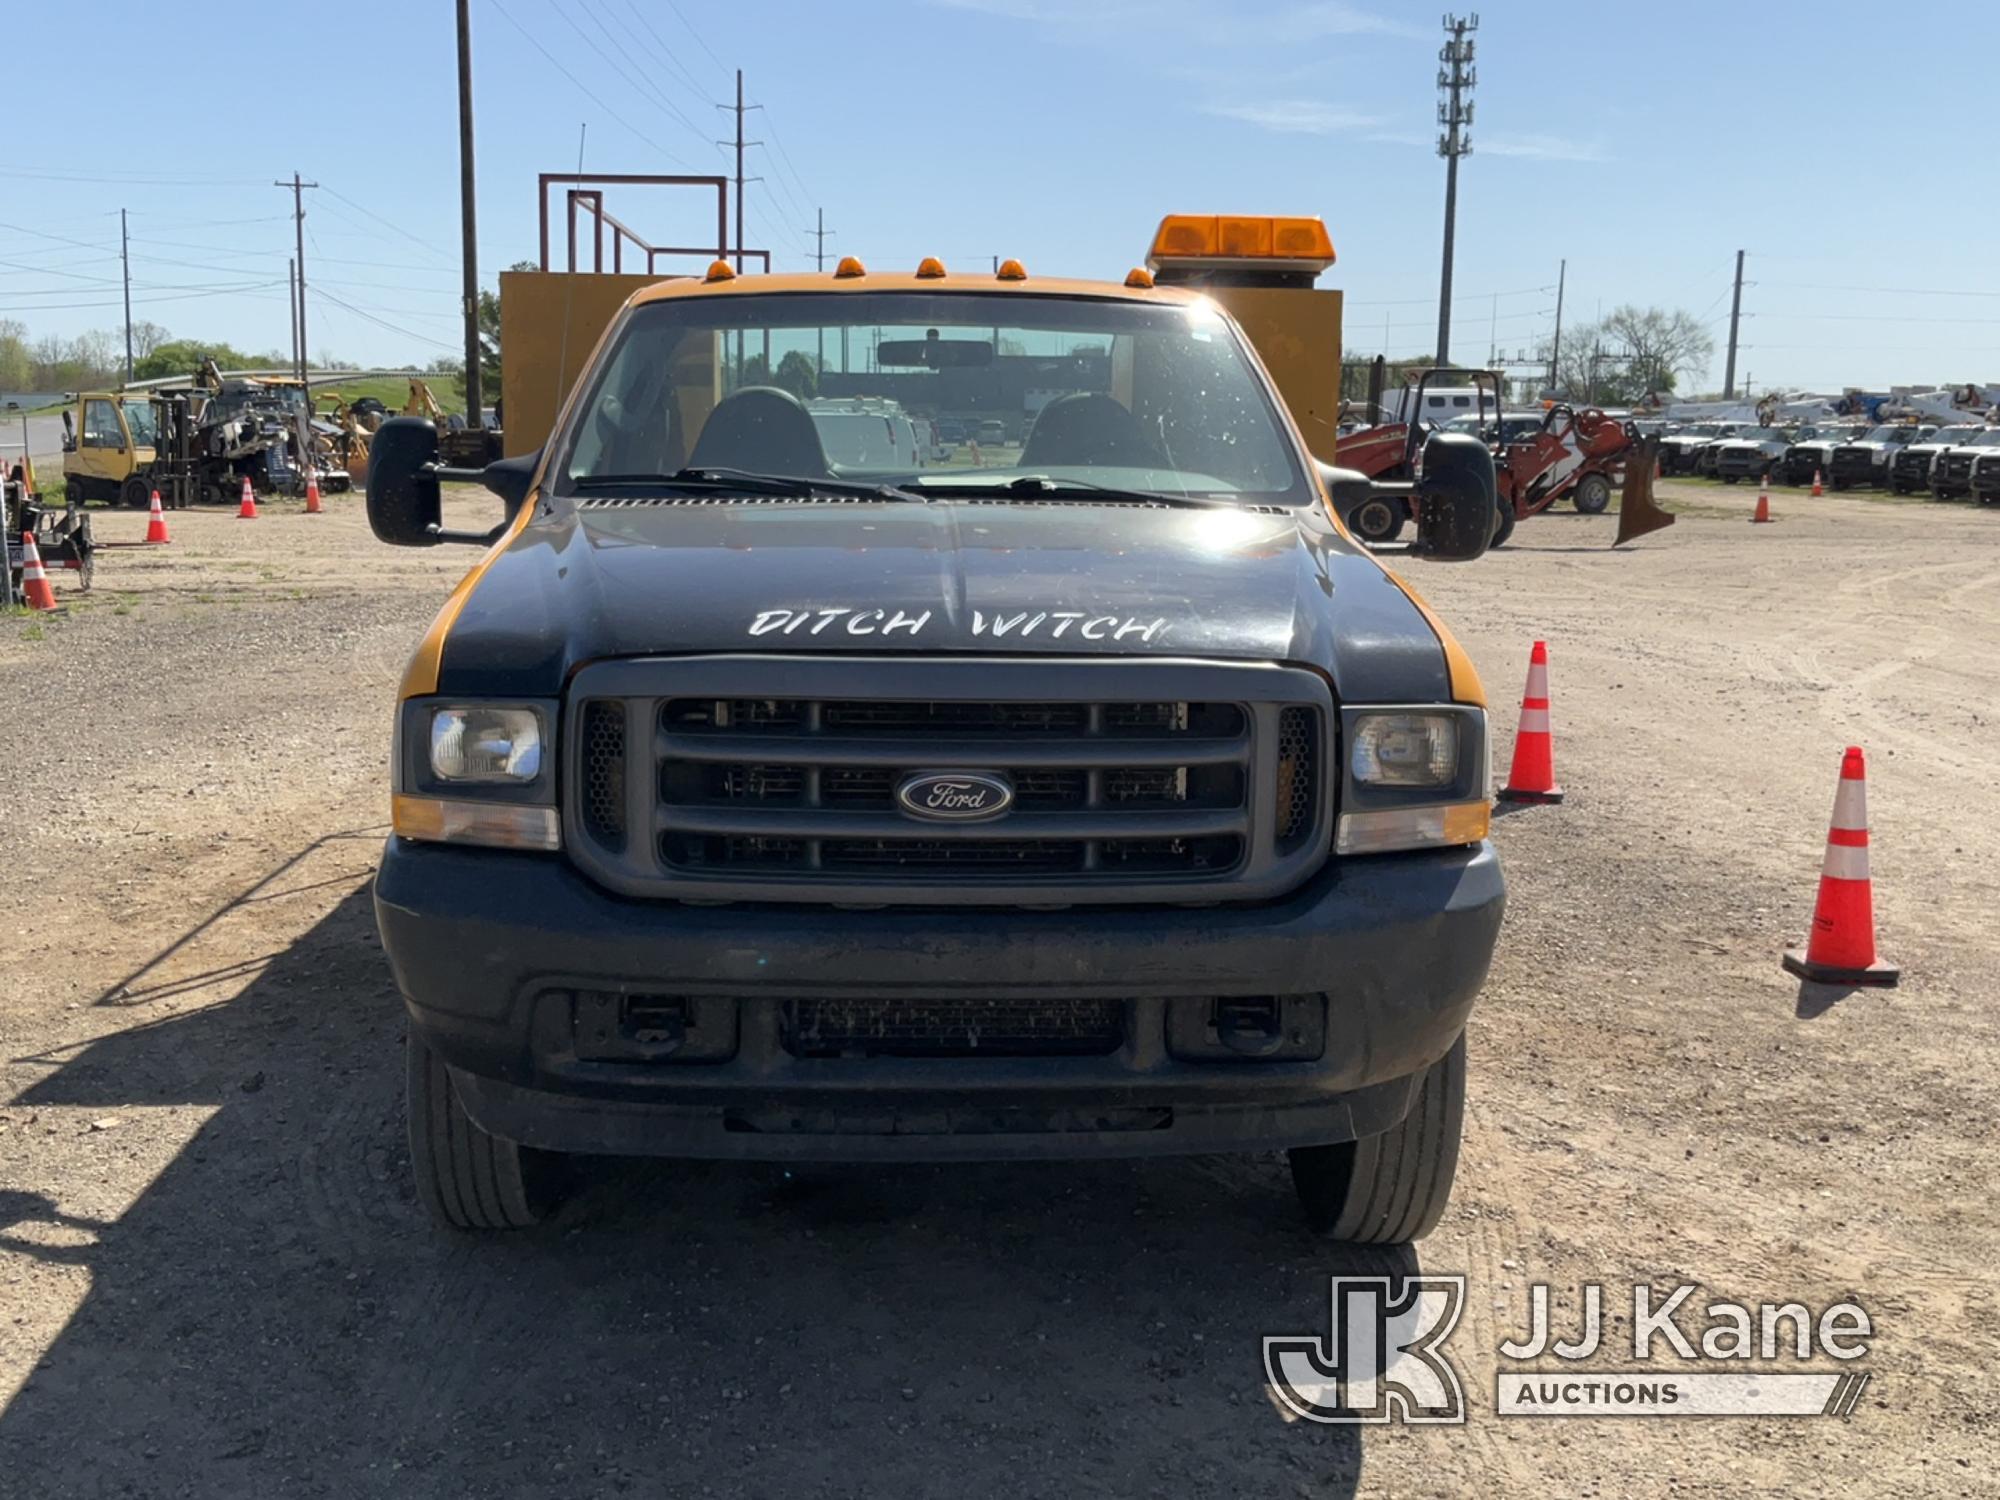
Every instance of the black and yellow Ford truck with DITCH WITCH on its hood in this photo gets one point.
(779, 787)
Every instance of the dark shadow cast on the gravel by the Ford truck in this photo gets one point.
(275, 1317)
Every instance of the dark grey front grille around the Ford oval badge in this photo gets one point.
(1117, 795)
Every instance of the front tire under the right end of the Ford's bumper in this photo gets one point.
(1393, 1187)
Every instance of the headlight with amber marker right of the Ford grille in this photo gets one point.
(1413, 779)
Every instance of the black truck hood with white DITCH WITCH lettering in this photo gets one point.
(1065, 579)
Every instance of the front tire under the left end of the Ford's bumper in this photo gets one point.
(467, 1179)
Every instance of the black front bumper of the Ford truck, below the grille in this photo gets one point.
(489, 949)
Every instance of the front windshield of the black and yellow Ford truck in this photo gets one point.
(867, 387)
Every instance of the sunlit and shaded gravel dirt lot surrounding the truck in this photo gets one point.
(215, 1281)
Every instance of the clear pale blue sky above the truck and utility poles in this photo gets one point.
(1645, 147)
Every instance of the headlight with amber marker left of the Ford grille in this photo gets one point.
(477, 773)
